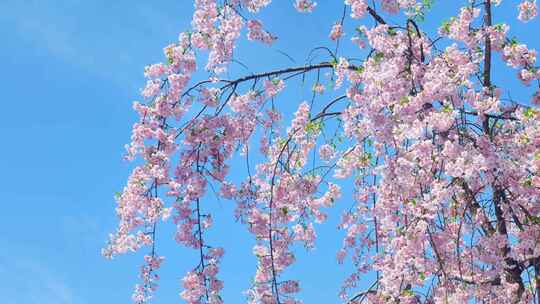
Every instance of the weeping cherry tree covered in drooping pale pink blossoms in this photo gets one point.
(445, 165)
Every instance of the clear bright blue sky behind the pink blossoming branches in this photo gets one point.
(70, 70)
